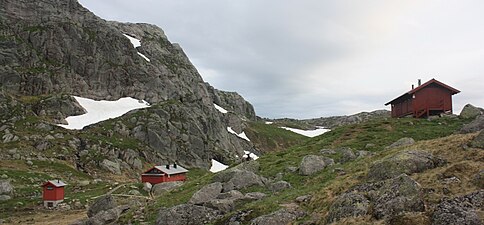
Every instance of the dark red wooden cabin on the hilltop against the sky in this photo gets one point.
(430, 98)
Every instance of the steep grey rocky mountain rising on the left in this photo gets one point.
(51, 50)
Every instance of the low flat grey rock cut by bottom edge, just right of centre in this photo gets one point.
(282, 216)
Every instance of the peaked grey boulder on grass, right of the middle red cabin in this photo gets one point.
(243, 179)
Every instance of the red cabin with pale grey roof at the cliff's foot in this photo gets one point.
(165, 173)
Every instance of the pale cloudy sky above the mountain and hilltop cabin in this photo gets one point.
(316, 58)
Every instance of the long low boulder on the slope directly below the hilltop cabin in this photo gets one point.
(408, 162)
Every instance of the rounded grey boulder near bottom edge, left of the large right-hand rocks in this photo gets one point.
(348, 205)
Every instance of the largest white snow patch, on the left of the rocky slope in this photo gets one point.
(98, 111)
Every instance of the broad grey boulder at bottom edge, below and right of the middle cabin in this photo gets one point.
(187, 214)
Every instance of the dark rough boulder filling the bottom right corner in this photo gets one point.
(460, 210)
